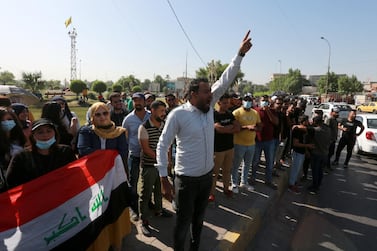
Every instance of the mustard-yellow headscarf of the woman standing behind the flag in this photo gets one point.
(109, 131)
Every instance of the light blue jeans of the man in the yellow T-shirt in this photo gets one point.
(246, 154)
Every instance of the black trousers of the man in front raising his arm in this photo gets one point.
(191, 198)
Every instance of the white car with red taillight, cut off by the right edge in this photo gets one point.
(367, 141)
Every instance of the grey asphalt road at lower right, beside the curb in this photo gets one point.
(342, 217)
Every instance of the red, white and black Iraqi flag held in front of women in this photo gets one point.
(81, 206)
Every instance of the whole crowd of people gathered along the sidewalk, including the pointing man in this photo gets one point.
(213, 132)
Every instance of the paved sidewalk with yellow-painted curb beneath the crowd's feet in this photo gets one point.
(229, 224)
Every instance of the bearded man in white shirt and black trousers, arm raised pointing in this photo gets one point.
(191, 125)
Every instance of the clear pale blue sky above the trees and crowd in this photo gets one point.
(143, 37)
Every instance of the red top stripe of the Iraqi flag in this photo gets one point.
(50, 190)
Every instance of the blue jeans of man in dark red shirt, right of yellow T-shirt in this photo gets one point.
(268, 148)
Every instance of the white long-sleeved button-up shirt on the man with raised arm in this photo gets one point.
(194, 132)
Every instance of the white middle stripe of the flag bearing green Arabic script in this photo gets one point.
(60, 224)
